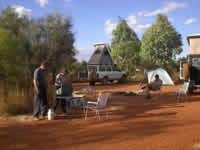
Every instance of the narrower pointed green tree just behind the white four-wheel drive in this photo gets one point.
(125, 47)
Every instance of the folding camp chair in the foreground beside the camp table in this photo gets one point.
(98, 105)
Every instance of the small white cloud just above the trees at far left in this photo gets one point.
(21, 11)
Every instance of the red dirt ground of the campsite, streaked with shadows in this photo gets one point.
(136, 123)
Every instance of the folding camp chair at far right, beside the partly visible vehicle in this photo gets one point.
(182, 92)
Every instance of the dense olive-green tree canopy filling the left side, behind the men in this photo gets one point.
(29, 41)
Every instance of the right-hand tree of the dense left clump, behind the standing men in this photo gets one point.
(58, 41)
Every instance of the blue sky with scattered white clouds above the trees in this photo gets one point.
(94, 20)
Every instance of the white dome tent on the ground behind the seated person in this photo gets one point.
(163, 75)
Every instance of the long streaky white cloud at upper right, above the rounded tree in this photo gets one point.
(171, 6)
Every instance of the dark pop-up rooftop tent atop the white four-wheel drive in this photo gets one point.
(101, 56)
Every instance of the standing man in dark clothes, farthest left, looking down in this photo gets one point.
(40, 91)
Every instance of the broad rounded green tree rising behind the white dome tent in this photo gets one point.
(160, 44)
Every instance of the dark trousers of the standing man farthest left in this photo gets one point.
(40, 103)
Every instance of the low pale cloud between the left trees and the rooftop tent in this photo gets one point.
(84, 54)
